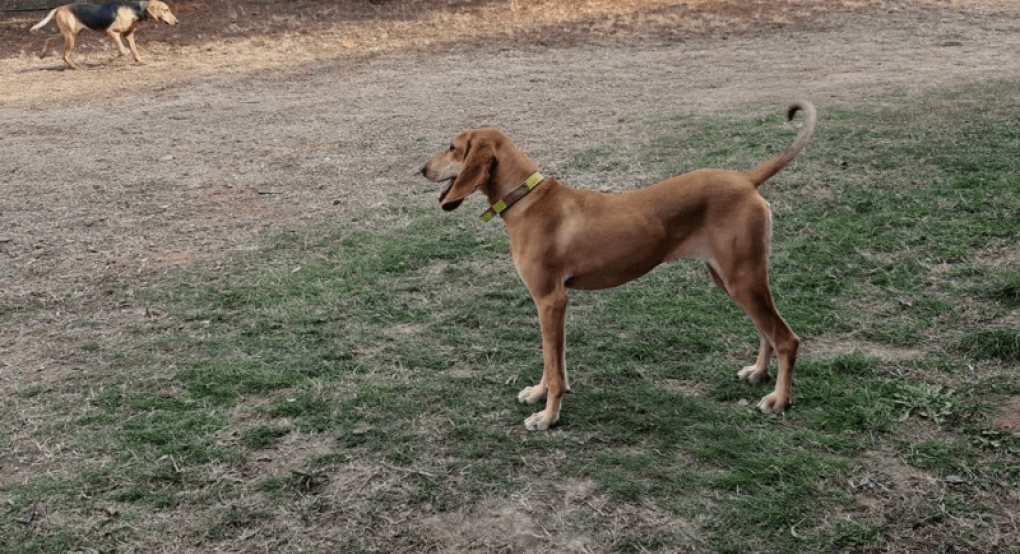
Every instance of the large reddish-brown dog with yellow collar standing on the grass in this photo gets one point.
(565, 238)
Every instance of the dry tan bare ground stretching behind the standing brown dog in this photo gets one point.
(256, 117)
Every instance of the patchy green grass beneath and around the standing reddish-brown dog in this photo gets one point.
(351, 385)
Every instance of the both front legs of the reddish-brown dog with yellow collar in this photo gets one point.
(552, 316)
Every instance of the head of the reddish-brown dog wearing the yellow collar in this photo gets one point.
(469, 165)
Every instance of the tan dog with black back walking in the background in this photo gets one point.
(115, 19)
